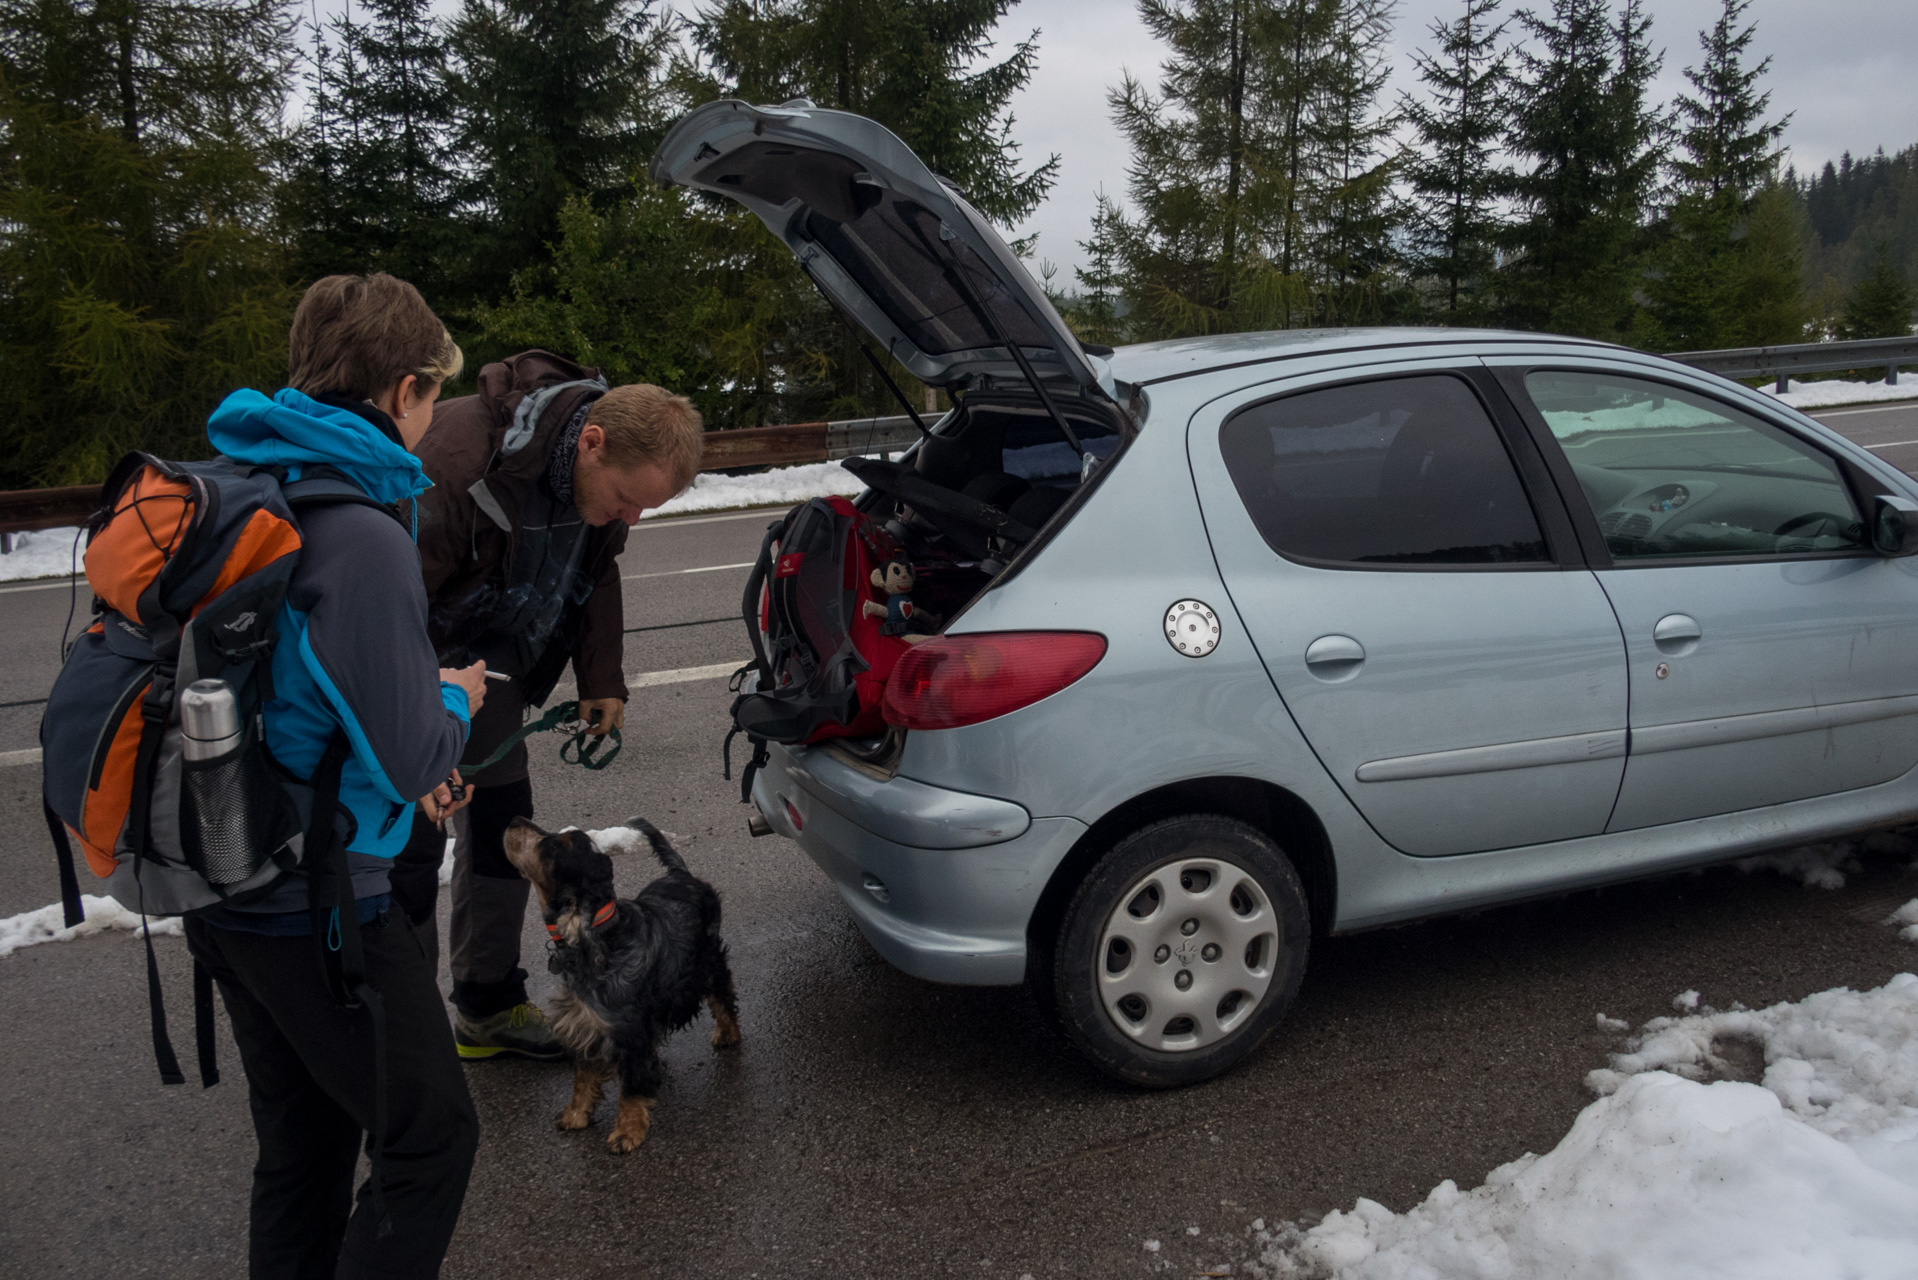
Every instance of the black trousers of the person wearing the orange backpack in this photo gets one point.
(310, 1076)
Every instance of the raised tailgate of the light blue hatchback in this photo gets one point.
(883, 237)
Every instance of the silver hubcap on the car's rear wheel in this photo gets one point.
(1188, 955)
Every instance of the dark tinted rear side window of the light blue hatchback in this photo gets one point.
(1403, 471)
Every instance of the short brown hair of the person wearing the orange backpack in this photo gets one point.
(362, 335)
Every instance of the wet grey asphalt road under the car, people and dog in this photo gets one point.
(874, 1126)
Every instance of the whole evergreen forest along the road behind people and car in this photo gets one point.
(174, 174)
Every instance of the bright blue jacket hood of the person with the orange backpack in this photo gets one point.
(292, 431)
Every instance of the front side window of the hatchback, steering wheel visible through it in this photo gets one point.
(1672, 473)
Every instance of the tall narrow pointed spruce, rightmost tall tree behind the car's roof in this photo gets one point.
(1727, 154)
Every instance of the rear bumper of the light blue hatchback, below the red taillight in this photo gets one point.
(941, 882)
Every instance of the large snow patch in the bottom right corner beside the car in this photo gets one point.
(1812, 1173)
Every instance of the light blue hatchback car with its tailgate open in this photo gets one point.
(1311, 632)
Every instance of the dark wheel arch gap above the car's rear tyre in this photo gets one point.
(1263, 805)
